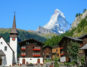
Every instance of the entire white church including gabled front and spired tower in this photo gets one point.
(8, 51)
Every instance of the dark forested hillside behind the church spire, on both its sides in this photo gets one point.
(23, 35)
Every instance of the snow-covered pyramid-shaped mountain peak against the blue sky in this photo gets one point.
(57, 24)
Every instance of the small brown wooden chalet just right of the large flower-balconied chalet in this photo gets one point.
(47, 52)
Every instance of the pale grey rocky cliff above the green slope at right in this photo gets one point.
(78, 19)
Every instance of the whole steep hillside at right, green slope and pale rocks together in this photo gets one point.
(81, 27)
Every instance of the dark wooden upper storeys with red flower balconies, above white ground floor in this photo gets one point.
(31, 48)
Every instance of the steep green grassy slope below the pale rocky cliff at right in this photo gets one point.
(81, 28)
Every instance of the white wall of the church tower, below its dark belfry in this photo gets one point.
(13, 45)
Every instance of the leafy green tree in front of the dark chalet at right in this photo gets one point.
(72, 50)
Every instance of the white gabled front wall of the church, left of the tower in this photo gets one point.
(7, 59)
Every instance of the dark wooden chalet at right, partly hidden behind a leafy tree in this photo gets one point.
(64, 43)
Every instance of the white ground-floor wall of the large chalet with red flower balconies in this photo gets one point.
(31, 60)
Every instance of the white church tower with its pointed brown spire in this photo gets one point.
(13, 40)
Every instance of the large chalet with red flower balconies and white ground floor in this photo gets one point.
(31, 51)
